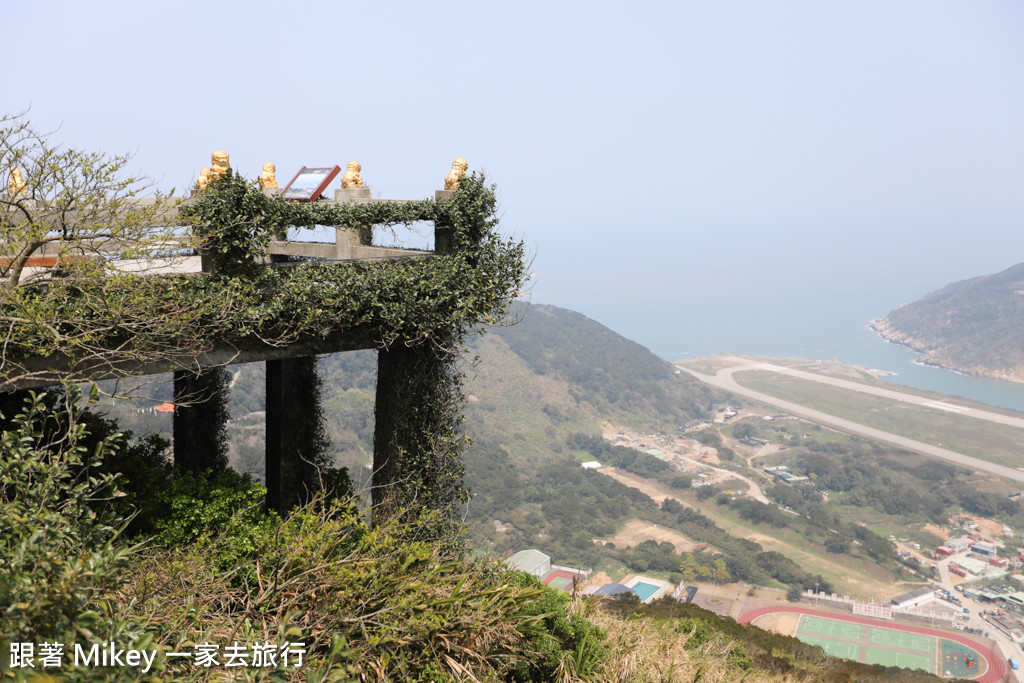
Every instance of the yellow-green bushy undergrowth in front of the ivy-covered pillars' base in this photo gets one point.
(382, 604)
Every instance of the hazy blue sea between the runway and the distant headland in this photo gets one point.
(806, 328)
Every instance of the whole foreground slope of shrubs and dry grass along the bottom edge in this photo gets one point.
(366, 604)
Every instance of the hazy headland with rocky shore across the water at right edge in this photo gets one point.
(974, 327)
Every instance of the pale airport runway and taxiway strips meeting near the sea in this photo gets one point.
(724, 380)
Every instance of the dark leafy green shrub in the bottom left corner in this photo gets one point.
(60, 559)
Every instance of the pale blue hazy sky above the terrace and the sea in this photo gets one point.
(648, 153)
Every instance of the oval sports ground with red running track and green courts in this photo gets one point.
(875, 642)
